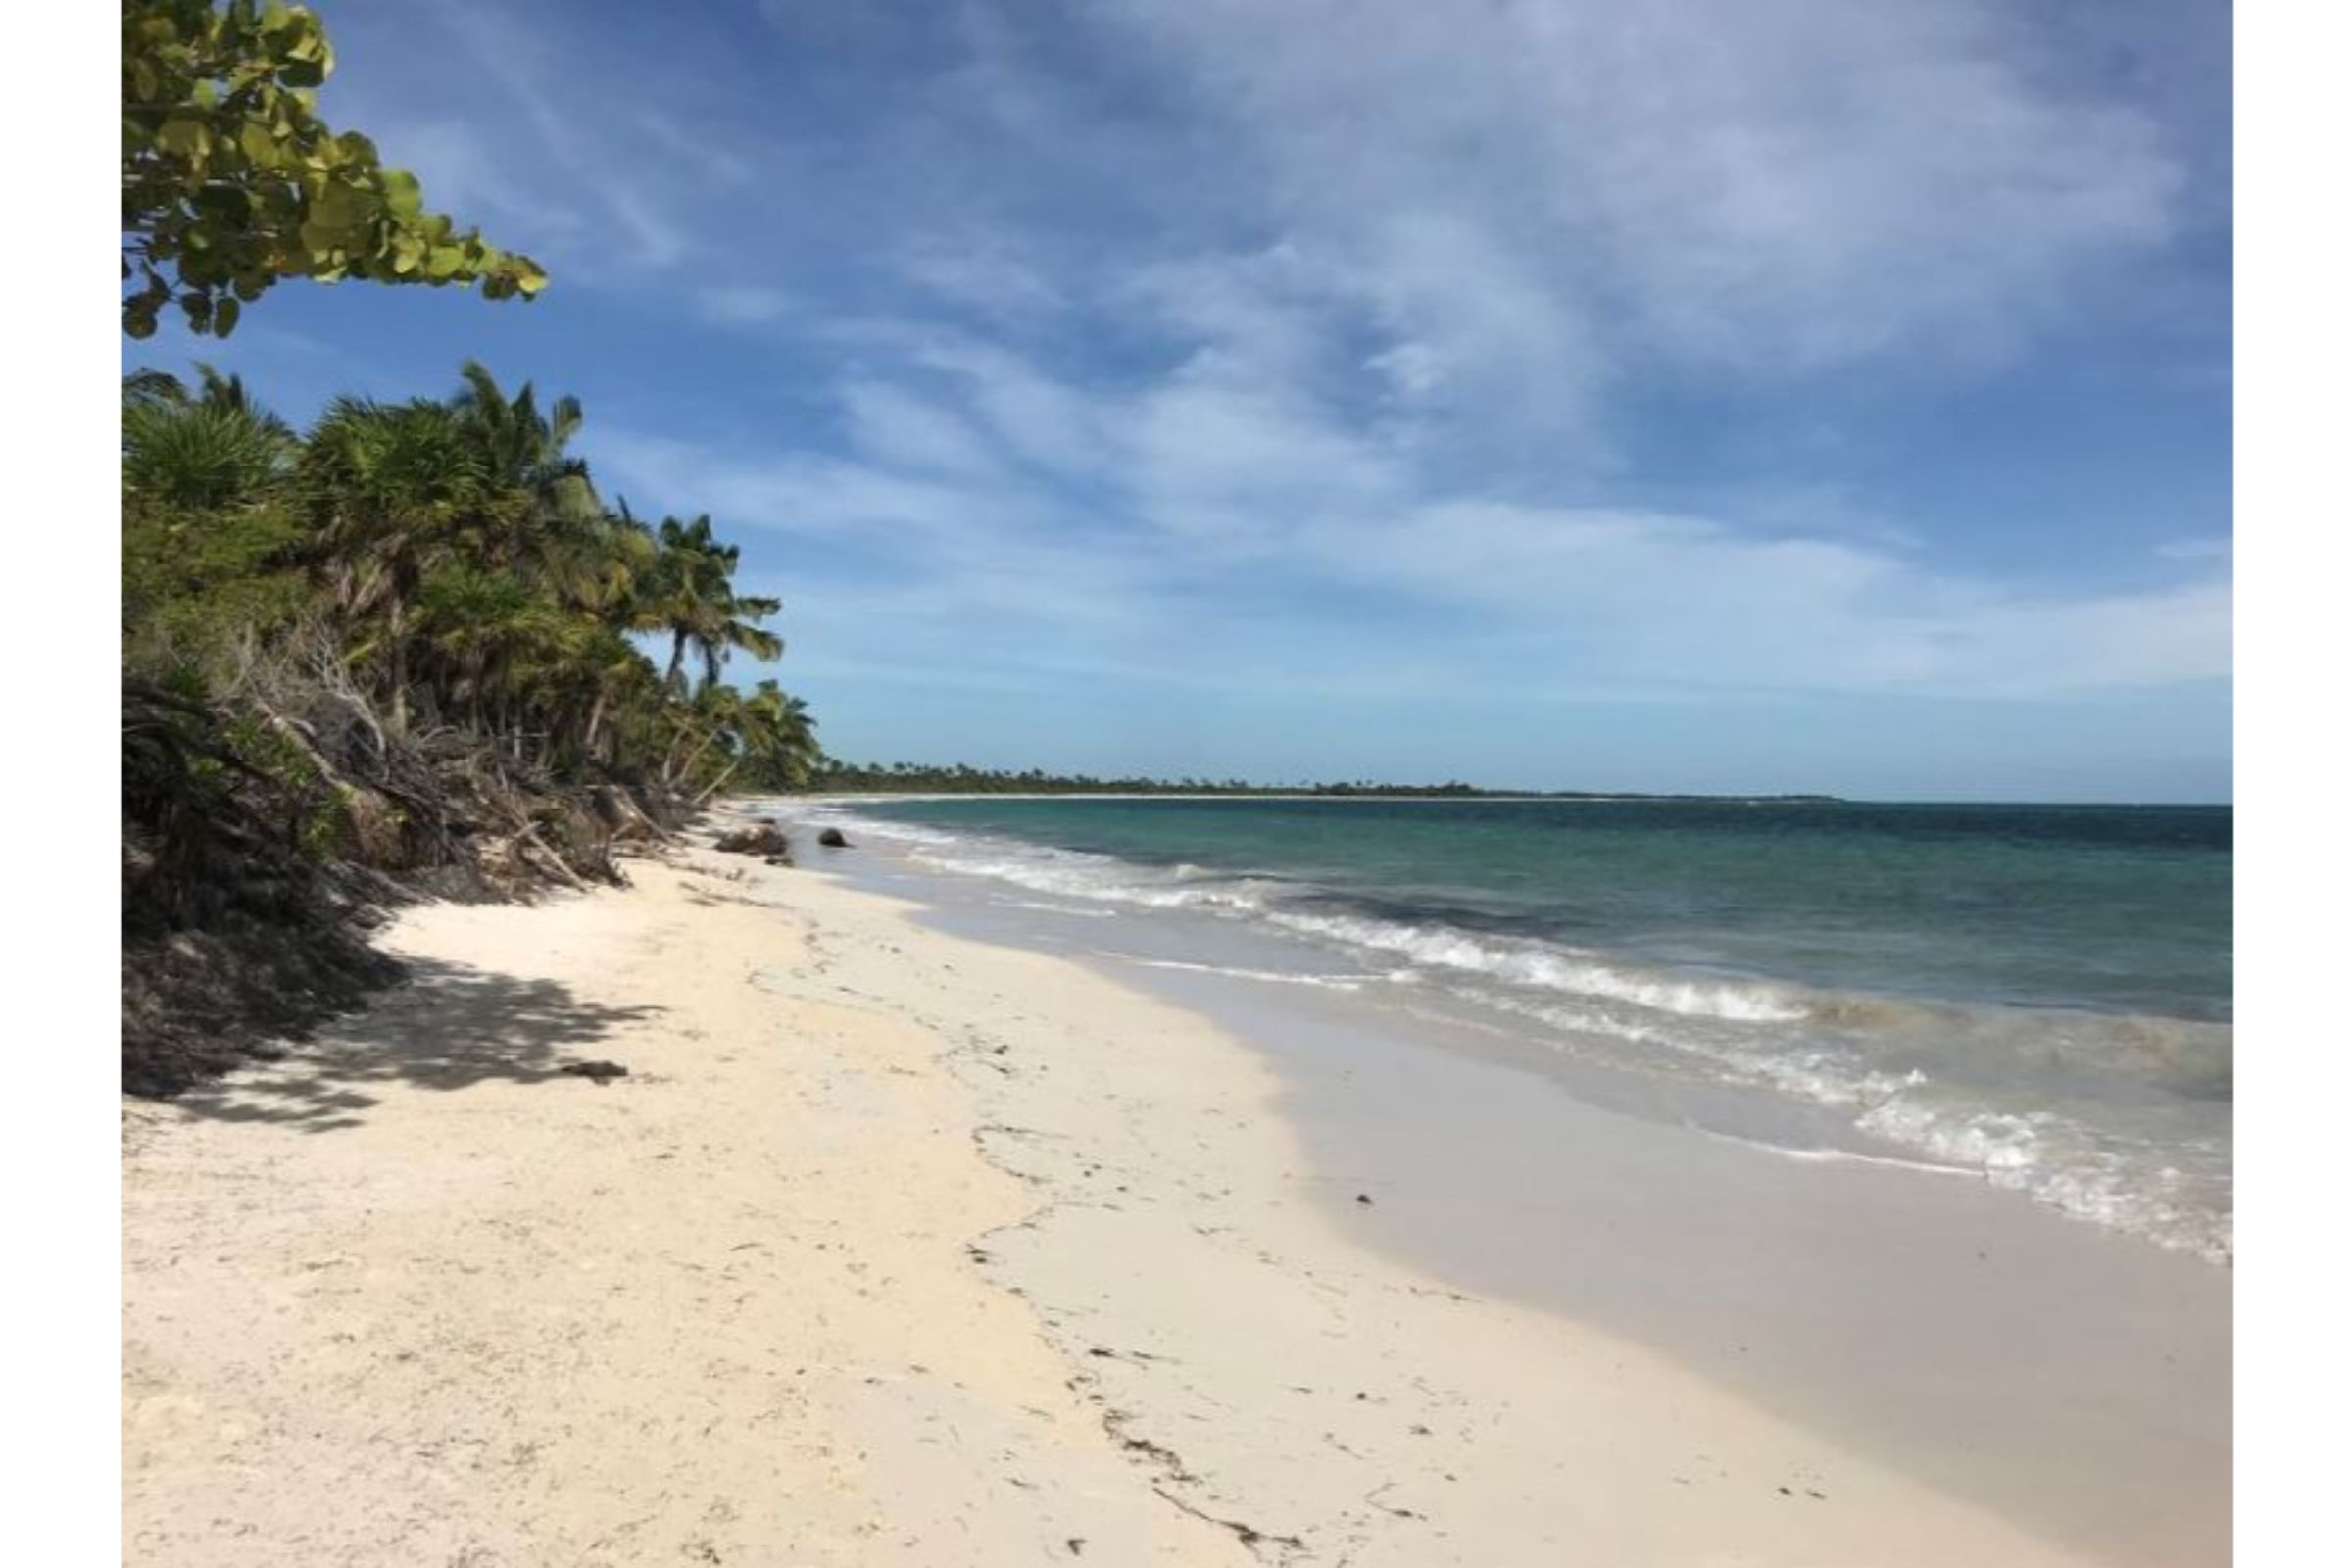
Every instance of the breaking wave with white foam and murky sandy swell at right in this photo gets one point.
(2026, 1099)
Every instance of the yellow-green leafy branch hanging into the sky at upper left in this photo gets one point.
(232, 182)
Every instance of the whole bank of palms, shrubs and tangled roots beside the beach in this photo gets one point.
(408, 648)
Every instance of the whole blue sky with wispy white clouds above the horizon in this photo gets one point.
(1735, 396)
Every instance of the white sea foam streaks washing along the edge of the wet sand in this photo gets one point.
(1803, 1045)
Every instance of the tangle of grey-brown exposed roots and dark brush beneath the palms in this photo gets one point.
(267, 831)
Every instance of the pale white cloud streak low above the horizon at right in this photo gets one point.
(1695, 603)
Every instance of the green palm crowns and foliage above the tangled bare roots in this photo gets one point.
(453, 565)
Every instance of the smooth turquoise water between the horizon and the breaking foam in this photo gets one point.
(2118, 909)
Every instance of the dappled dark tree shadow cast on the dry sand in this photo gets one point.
(448, 1026)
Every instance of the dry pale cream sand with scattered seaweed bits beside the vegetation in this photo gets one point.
(890, 1249)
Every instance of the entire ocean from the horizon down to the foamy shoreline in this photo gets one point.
(2036, 993)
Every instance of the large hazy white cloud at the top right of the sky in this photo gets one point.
(1549, 189)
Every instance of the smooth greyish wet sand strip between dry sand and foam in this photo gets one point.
(2050, 1369)
